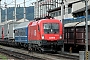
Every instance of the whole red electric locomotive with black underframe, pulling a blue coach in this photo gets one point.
(45, 35)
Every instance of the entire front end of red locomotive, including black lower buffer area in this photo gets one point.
(51, 34)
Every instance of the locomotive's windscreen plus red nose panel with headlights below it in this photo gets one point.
(51, 31)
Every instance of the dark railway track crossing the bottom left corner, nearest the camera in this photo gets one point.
(18, 55)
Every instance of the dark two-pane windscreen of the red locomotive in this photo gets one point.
(51, 28)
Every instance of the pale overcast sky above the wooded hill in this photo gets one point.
(11, 3)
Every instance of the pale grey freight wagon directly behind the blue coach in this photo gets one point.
(8, 29)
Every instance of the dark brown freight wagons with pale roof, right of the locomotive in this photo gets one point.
(74, 35)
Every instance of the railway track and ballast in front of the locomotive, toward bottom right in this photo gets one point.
(57, 56)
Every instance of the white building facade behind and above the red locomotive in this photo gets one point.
(72, 8)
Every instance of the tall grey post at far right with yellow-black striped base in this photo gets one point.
(86, 28)
